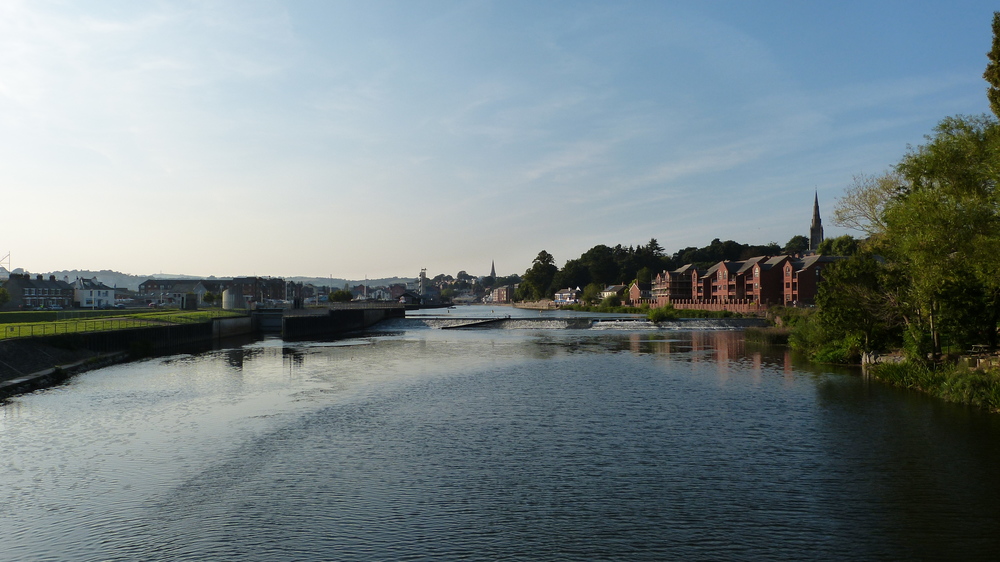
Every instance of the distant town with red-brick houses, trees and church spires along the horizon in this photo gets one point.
(632, 276)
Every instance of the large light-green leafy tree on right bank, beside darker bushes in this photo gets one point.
(943, 232)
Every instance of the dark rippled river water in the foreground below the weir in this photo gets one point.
(535, 444)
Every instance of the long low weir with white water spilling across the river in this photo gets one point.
(572, 323)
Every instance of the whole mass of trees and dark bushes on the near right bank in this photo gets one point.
(934, 222)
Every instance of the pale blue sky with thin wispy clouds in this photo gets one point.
(373, 139)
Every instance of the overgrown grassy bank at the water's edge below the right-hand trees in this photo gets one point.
(948, 382)
